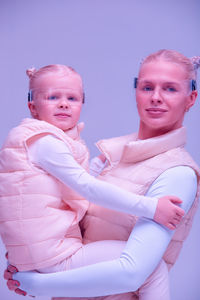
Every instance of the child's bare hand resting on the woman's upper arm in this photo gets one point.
(168, 213)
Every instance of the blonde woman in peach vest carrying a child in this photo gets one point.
(165, 90)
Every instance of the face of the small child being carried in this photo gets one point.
(57, 100)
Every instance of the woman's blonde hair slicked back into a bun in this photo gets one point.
(189, 64)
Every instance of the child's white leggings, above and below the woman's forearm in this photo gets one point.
(156, 286)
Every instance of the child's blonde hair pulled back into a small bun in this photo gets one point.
(61, 70)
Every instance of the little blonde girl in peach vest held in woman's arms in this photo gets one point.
(43, 173)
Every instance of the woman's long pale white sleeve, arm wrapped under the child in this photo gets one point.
(145, 247)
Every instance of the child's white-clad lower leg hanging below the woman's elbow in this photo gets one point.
(156, 286)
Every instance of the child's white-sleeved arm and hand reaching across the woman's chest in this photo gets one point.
(54, 157)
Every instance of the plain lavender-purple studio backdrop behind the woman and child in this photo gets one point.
(104, 40)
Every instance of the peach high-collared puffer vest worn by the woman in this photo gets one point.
(134, 165)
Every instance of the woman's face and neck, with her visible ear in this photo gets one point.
(163, 96)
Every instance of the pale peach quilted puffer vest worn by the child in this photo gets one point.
(39, 216)
